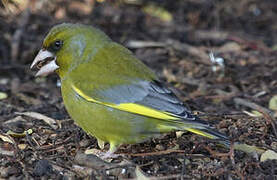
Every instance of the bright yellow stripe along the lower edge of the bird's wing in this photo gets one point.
(130, 107)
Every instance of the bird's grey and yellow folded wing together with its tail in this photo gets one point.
(151, 99)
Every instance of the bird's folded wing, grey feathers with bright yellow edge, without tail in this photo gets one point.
(150, 99)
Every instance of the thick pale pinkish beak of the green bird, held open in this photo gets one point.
(46, 62)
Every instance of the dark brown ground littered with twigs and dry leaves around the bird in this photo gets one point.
(231, 90)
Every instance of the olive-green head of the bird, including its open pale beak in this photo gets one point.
(66, 46)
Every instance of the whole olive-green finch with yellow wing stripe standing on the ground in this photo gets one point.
(109, 92)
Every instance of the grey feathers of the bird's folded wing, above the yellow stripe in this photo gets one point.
(151, 94)
